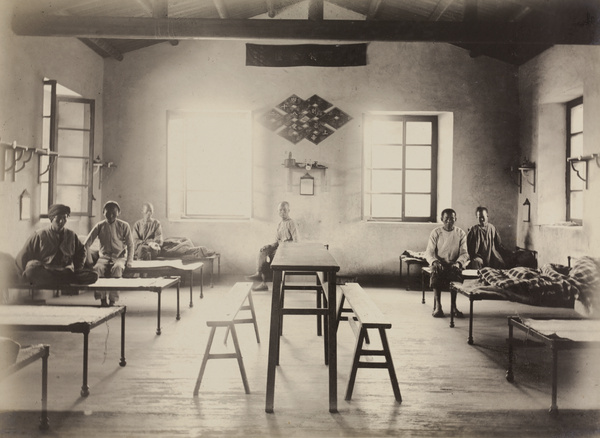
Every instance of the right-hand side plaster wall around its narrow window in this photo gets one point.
(546, 83)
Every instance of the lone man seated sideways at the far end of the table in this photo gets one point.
(286, 232)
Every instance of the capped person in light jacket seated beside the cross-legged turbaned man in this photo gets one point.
(116, 249)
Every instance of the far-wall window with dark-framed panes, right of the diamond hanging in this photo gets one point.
(400, 168)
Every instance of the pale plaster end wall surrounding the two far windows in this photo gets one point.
(480, 92)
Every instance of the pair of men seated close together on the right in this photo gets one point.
(450, 250)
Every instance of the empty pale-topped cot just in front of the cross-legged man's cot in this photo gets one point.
(73, 319)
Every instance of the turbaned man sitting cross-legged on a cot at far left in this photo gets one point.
(54, 255)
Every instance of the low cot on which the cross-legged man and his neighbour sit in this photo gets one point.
(149, 284)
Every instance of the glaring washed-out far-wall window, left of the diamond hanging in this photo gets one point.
(209, 165)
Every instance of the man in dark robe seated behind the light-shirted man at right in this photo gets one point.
(484, 244)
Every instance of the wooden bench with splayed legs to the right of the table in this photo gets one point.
(367, 316)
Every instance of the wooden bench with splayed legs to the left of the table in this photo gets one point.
(233, 302)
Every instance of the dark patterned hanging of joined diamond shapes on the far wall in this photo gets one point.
(314, 119)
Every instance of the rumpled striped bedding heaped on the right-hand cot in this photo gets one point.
(551, 286)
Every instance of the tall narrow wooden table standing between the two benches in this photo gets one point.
(309, 258)
